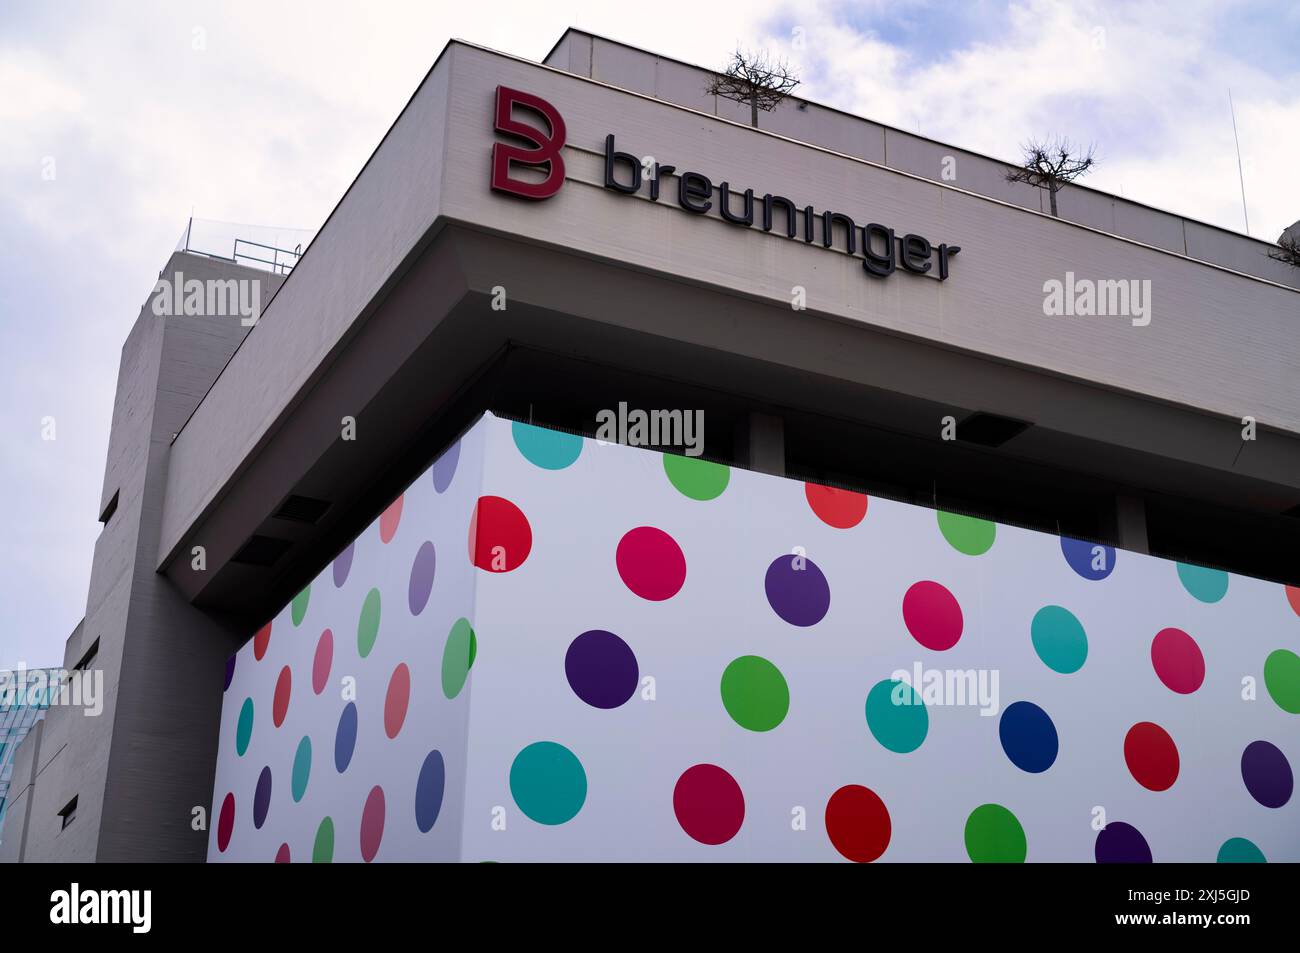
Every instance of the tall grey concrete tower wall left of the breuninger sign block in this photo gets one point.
(140, 768)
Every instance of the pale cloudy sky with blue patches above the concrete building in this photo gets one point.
(265, 111)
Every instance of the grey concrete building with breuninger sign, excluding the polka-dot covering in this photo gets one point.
(943, 378)
